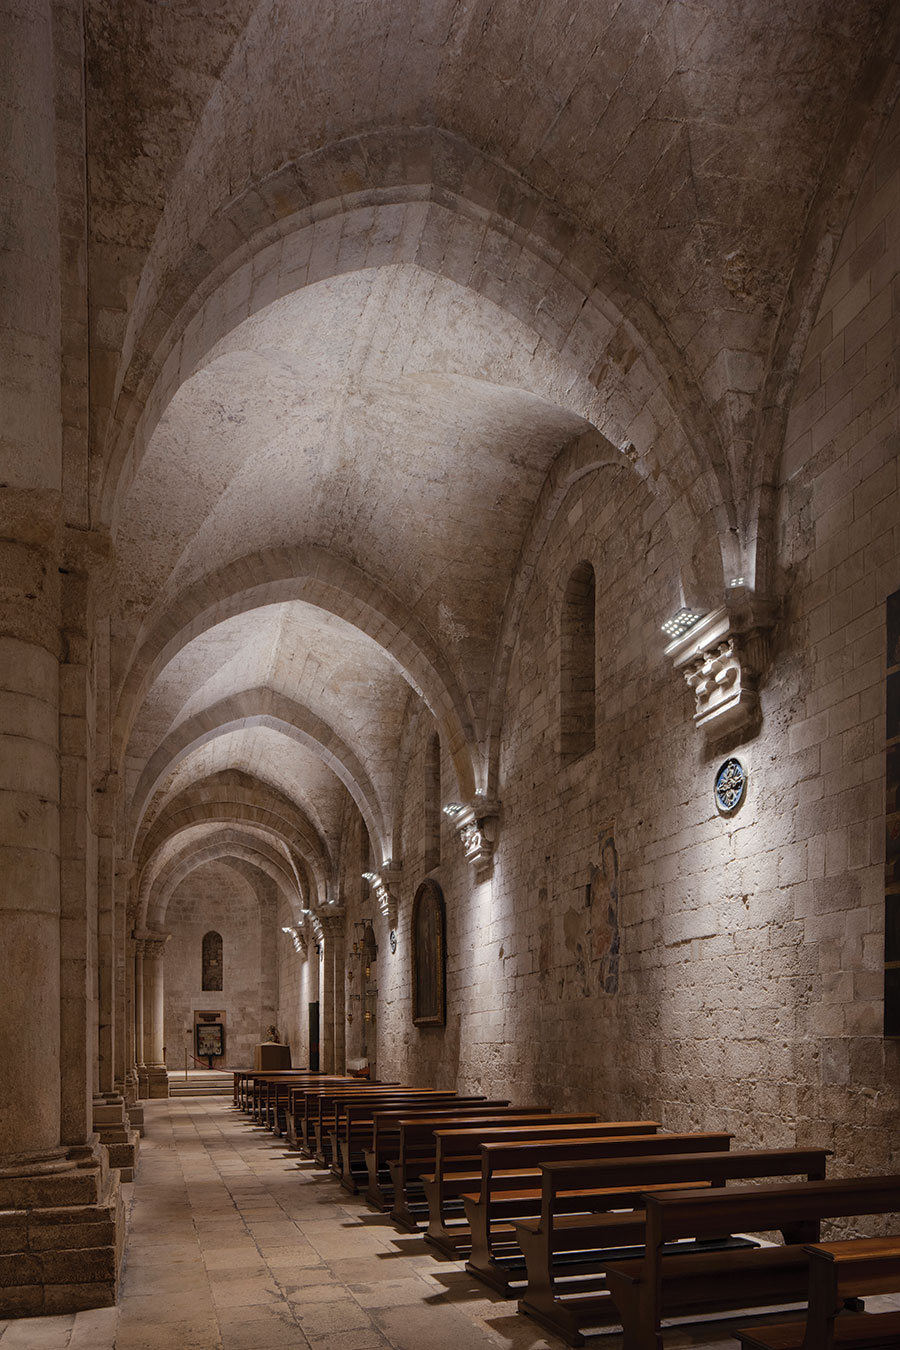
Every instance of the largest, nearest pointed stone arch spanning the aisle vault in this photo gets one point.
(563, 281)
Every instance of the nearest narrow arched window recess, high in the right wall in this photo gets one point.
(578, 682)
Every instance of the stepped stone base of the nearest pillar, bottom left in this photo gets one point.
(63, 1229)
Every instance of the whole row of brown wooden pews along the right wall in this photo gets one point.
(594, 1224)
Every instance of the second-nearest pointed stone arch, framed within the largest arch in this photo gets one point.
(319, 578)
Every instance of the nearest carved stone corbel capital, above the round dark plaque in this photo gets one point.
(724, 659)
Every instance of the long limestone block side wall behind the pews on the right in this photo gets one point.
(635, 951)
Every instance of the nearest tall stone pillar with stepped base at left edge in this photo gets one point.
(48, 1267)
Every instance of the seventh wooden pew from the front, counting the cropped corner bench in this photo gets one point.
(404, 1143)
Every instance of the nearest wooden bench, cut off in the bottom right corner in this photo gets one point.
(840, 1272)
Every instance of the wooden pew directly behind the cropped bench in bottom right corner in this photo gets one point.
(663, 1285)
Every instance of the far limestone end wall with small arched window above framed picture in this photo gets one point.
(219, 897)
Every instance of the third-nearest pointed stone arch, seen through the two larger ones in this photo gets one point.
(266, 708)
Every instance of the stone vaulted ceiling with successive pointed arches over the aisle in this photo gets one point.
(372, 272)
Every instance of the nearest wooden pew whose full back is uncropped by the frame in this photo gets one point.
(565, 1241)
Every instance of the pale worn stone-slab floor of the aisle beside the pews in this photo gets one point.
(235, 1245)
